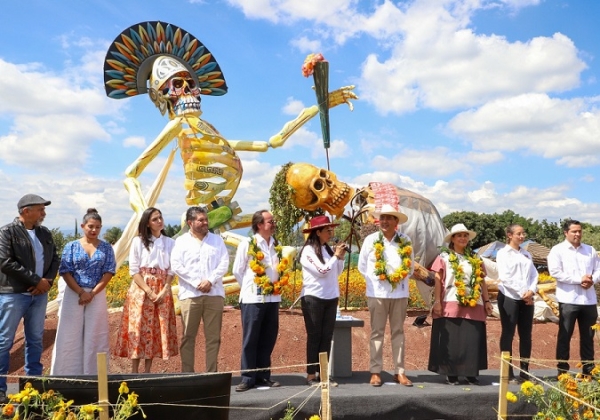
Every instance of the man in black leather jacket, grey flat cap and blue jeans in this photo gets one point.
(28, 266)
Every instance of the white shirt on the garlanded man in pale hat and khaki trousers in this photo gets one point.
(366, 265)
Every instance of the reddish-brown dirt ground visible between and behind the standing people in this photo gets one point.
(290, 348)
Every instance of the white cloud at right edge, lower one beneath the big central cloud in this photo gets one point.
(566, 130)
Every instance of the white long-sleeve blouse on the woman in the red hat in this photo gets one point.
(318, 279)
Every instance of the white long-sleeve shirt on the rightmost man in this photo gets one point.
(568, 265)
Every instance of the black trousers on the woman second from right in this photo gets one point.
(515, 315)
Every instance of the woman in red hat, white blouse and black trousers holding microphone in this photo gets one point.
(321, 267)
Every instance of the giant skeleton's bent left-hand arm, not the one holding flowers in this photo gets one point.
(136, 197)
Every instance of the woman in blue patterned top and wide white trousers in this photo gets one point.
(87, 266)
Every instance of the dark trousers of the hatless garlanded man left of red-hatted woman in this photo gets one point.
(260, 325)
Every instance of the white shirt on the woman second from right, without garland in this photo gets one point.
(516, 272)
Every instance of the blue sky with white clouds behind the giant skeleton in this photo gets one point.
(478, 105)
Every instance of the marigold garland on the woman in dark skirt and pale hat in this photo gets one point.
(469, 293)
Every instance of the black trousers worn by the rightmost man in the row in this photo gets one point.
(585, 315)
